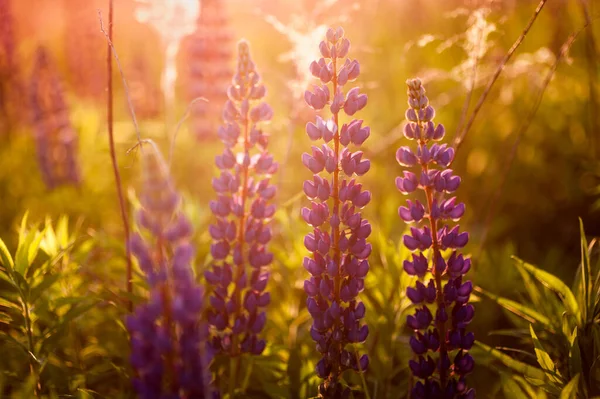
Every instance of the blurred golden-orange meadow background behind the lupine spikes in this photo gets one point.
(527, 206)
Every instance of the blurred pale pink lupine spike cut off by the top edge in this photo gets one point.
(205, 60)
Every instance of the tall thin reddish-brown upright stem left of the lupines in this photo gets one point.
(111, 142)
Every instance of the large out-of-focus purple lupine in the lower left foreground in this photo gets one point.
(169, 350)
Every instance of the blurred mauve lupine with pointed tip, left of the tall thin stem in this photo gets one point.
(56, 140)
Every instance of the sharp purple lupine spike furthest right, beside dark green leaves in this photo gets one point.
(441, 295)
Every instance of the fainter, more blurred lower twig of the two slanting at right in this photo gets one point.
(522, 130)
